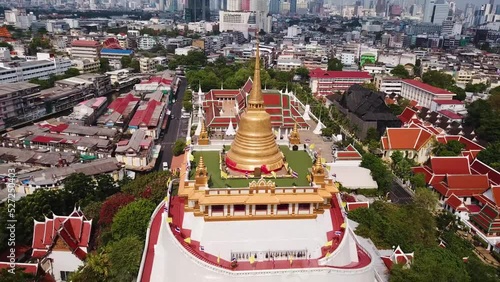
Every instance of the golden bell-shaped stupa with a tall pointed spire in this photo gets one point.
(254, 146)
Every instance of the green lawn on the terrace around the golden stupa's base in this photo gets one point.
(299, 161)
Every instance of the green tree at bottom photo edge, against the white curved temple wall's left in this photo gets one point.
(125, 258)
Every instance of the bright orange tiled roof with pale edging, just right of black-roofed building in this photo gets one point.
(407, 138)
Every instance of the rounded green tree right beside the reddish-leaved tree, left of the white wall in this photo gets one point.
(132, 220)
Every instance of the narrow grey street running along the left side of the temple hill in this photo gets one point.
(176, 127)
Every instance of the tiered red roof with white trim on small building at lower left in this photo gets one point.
(74, 230)
